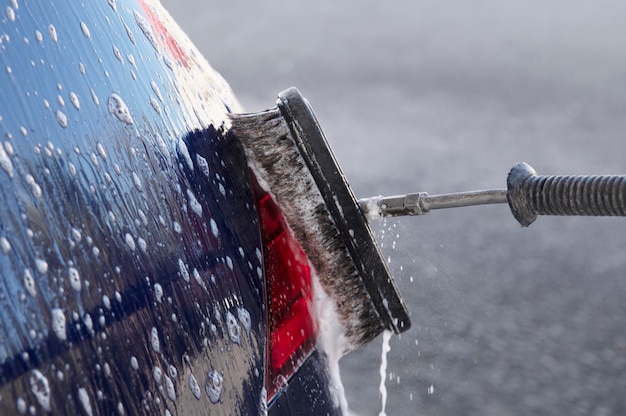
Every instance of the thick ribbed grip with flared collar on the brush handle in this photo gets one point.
(530, 195)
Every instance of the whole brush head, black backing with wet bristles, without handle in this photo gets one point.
(293, 161)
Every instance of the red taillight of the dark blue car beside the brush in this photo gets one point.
(291, 328)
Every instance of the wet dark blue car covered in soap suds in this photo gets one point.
(138, 252)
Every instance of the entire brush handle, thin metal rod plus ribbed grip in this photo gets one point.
(527, 194)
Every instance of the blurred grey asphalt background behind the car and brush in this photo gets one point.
(447, 96)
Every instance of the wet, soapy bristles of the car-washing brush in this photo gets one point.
(275, 159)
